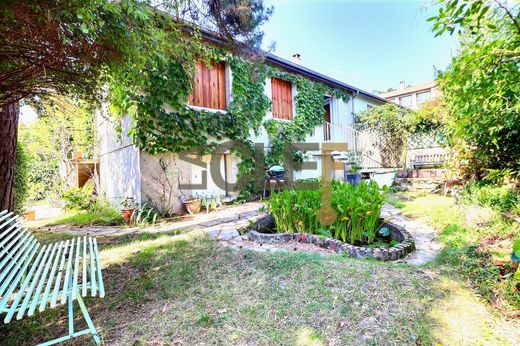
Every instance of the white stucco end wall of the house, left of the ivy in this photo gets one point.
(118, 160)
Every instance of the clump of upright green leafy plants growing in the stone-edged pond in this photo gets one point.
(357, 211)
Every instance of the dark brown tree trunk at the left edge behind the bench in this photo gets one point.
(8, 137)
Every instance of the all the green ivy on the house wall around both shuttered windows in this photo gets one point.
(163, 122)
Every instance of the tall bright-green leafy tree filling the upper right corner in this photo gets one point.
(481, 85)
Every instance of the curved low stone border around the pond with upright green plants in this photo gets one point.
(406, 243)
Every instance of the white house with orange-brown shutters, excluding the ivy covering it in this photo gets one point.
(166, 179)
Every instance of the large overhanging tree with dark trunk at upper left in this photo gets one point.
(72, 47)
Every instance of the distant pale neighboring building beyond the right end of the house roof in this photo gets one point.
(412, 96)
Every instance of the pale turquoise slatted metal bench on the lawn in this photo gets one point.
(34, 277)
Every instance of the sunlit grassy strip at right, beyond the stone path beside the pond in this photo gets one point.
(474, 239)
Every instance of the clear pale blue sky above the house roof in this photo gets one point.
(371, 44)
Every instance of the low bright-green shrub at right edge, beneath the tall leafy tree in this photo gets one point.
(500, 198)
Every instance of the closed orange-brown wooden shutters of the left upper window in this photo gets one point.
(209, 86)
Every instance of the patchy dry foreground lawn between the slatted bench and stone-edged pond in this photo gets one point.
(186, 289)
